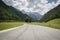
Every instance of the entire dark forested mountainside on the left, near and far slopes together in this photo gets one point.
(10, 13)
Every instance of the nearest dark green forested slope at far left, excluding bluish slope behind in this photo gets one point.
(5, 13)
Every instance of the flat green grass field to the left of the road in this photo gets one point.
(7, 25)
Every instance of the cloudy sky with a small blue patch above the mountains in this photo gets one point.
(39, 6)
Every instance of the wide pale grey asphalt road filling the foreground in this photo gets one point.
(31, 32)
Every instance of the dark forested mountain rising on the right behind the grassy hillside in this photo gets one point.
(52, 14)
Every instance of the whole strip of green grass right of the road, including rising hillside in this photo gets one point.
(53, 23)
